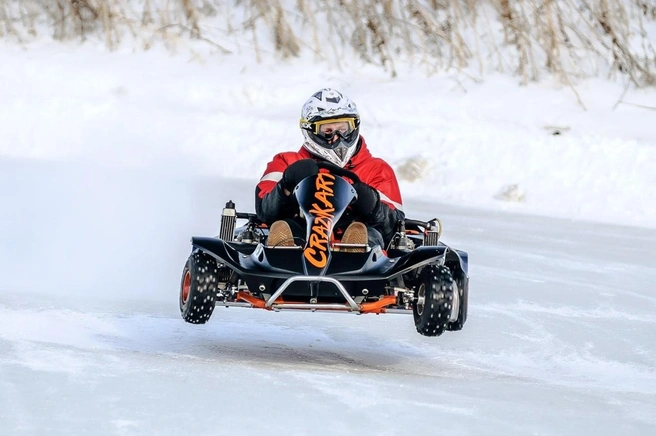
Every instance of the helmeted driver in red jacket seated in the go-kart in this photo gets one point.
(330, 124)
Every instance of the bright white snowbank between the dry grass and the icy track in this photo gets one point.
(450, 139)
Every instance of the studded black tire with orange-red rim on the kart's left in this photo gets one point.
(198, 288)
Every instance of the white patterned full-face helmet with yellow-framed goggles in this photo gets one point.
(330, 123)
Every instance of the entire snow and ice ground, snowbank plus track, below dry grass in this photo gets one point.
(109, 162)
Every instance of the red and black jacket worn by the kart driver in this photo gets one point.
(272, 204)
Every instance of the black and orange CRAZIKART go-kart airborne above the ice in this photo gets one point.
(415, 274)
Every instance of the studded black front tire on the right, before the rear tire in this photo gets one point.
(433, 300)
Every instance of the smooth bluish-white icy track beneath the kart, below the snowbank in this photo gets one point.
(560, 340)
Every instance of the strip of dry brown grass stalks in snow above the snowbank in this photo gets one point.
(566, 39)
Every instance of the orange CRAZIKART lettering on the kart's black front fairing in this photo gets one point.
(323, 212)
